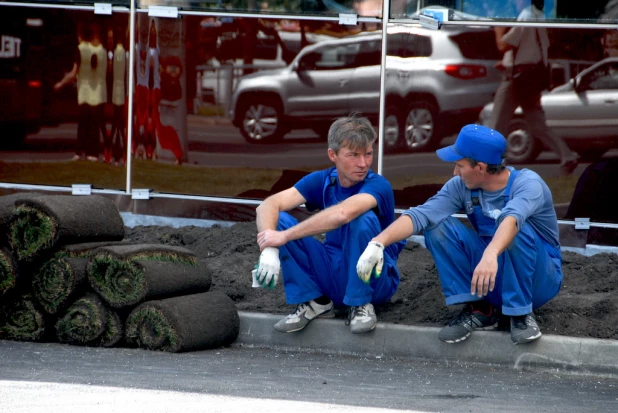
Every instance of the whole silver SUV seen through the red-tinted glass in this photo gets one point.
(436, 81)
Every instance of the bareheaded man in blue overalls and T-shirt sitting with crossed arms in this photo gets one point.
(356, 204)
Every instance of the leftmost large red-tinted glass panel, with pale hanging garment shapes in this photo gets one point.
(62, 93)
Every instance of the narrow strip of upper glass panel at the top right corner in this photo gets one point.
(594, 11)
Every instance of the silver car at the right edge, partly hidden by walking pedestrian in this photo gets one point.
(584, 112)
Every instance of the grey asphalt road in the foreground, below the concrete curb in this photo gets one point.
(61, 378)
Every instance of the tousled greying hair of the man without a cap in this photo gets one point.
(353, 131)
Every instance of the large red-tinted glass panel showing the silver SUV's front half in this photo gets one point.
(236, 106)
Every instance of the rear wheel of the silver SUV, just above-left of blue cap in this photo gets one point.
(420, 130)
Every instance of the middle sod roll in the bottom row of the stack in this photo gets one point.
(83, 322)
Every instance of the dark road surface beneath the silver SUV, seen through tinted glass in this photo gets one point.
(221, 145)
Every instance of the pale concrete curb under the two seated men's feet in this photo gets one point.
(557, 353)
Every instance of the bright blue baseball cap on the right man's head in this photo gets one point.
(476, 142)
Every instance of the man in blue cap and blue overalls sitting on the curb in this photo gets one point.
(509, 263)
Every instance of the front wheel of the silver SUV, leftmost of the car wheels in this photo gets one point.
(261, 121)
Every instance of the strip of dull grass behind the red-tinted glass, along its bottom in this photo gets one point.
(194, 179)
